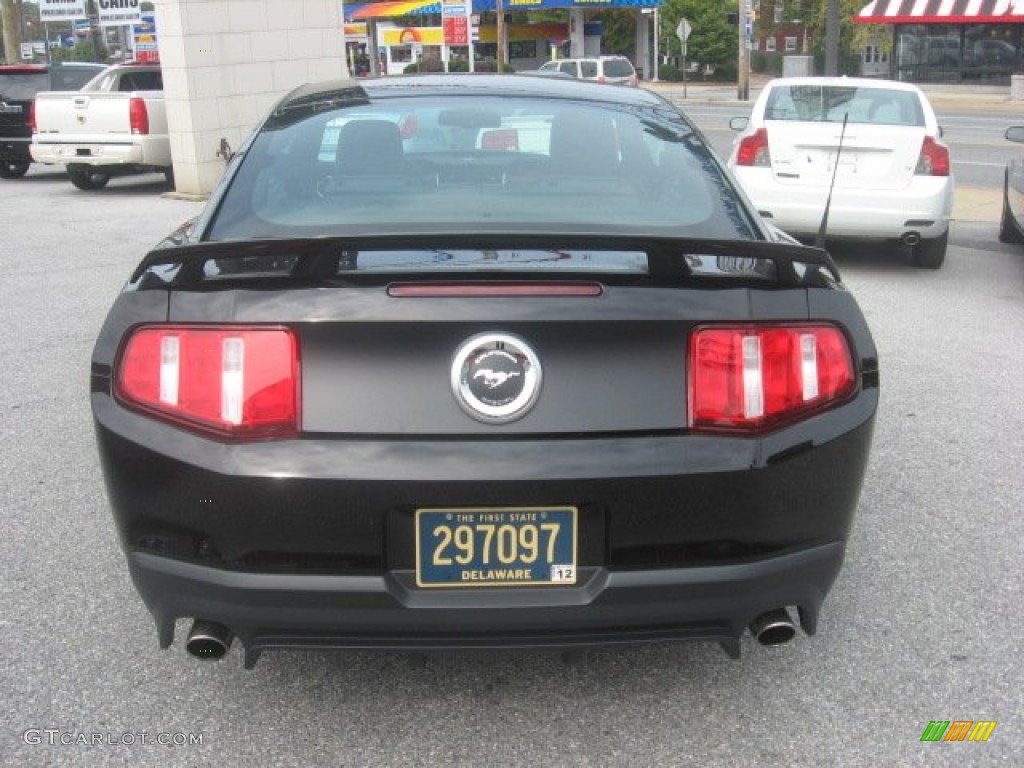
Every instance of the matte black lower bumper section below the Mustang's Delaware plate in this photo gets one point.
(274, 611)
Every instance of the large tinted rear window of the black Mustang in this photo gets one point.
(480, 164)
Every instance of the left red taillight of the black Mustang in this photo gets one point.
(237, 382)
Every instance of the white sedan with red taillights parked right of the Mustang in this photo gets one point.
(875, 144)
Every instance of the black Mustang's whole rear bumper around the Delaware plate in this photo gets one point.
(309, 543)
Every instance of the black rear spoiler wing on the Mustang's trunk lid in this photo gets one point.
(326, 260)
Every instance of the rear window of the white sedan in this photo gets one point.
(832, 104)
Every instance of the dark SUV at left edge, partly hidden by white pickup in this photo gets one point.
(19, 87)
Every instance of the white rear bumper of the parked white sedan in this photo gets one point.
(924, 207)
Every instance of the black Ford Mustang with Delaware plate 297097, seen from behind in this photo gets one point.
(426, 431)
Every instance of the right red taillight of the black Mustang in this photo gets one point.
(761, 377)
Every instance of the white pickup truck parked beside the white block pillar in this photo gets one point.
(115, 126)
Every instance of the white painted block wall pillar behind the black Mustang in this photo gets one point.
(227, 63)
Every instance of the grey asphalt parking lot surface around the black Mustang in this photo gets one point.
(925, 623)
